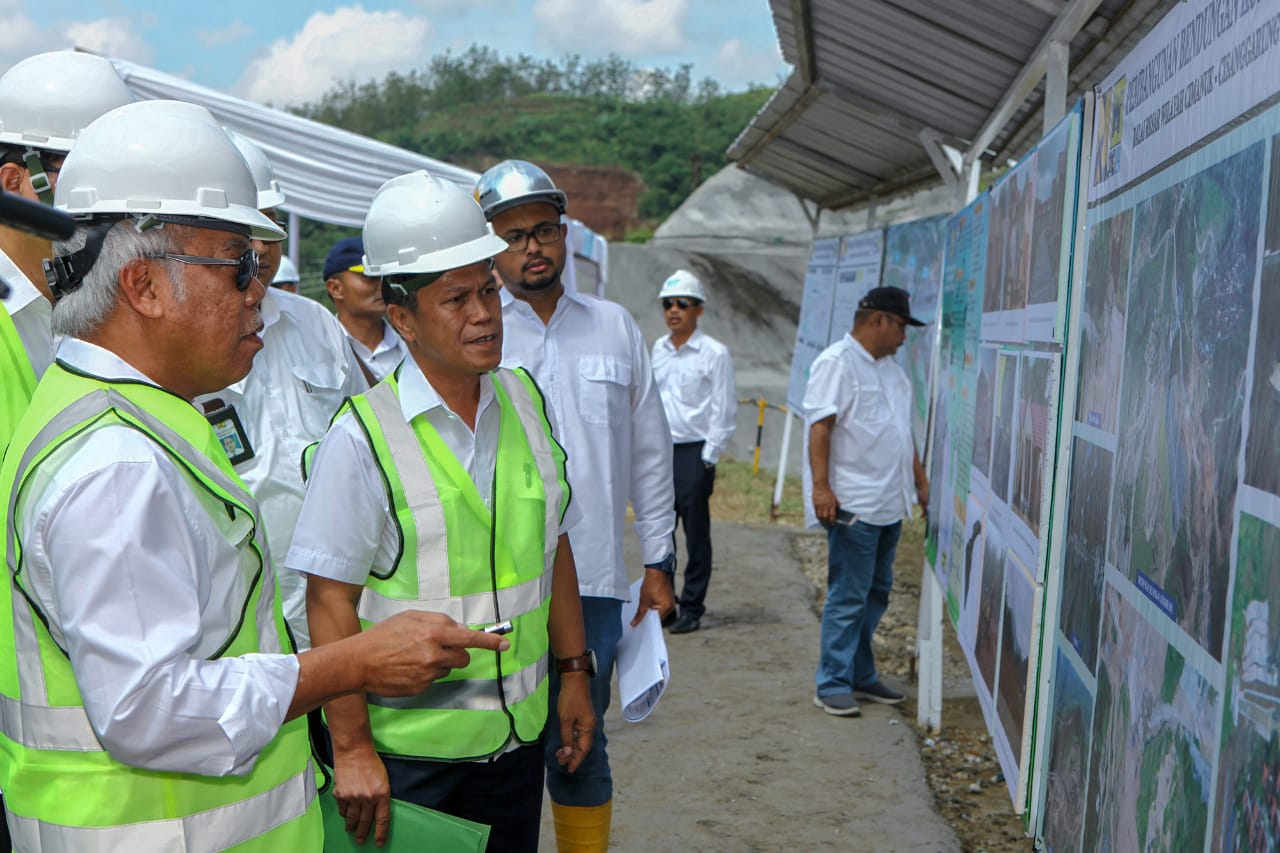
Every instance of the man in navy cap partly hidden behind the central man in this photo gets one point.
(359, 302)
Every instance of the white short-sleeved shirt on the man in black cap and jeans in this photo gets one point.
(871, 469)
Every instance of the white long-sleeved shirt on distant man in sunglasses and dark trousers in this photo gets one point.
(698, 393)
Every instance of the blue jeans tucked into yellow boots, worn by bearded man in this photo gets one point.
(593, 782)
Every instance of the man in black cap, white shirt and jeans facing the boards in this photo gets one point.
(862, 478)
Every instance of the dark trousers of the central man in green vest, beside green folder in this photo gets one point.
(505, 793)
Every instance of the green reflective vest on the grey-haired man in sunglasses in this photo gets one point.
(62, 790)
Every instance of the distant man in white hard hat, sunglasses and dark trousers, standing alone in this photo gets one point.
(696, 376)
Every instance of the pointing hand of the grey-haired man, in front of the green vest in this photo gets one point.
(406, 654)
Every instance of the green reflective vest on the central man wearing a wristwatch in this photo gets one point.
(474, 565)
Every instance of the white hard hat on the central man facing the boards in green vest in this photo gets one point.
(419, 223)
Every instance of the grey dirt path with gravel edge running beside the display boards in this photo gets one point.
(737, 759)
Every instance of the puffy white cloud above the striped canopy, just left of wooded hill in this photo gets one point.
(348, 44)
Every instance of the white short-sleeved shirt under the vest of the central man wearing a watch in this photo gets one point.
(346, 528)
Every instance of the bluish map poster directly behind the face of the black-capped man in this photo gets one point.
(913, 261)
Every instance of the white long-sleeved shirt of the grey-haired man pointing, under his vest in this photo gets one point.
(141, 586)
